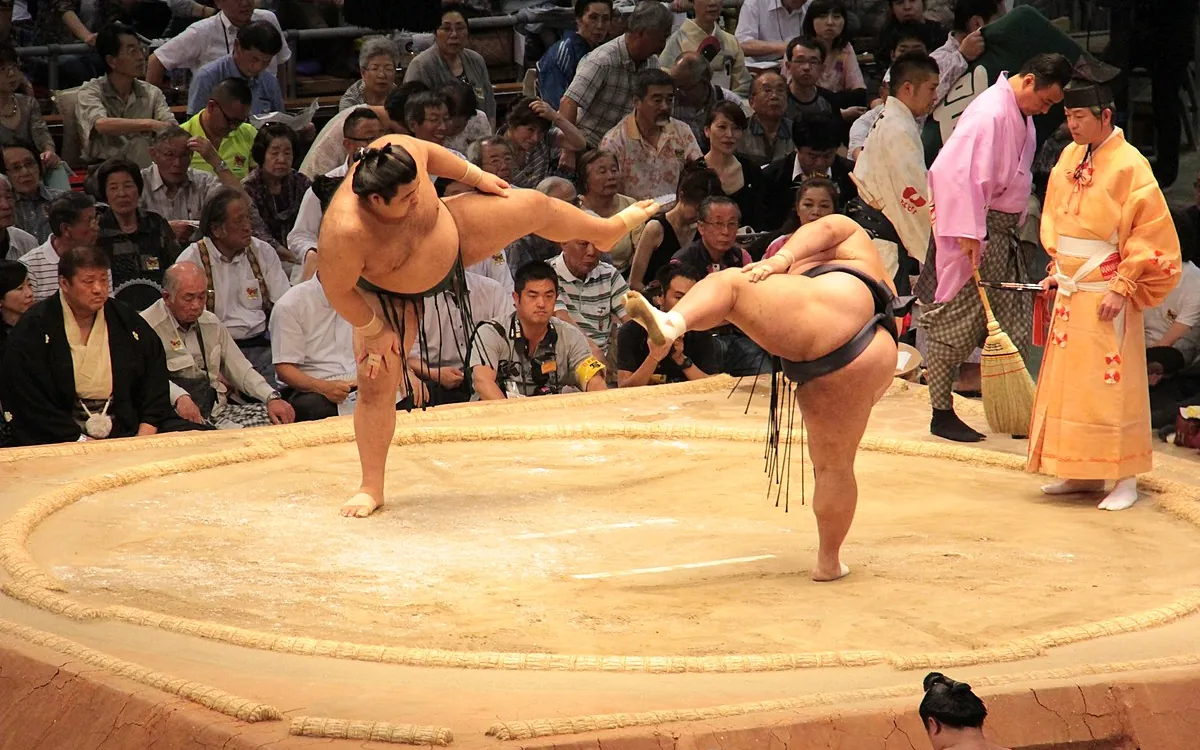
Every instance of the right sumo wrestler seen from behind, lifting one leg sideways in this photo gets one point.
(824, 304)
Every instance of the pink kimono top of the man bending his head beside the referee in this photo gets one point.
(986, 166)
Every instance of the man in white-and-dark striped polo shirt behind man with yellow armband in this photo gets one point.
(591, 295)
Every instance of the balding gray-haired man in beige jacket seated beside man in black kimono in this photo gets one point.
(205, 365)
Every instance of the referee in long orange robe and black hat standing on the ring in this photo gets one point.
(1115, 254)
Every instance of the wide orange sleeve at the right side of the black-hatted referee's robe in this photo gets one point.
(1150, 248)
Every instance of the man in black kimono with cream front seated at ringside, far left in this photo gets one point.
(80, 367)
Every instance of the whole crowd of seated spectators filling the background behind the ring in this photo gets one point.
(166, 277)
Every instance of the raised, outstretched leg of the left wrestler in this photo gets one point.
(489, 224)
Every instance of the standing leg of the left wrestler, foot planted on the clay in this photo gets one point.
(375, 416)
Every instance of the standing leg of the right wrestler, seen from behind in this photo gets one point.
(836, 410)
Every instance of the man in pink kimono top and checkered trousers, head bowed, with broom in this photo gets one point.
(980, 185)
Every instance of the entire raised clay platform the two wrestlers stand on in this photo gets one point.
(584, 569)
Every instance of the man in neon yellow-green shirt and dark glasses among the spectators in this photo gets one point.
(224, 123)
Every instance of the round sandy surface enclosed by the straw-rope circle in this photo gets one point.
(614, 548)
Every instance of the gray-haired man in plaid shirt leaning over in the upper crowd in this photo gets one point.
(603, 89)
